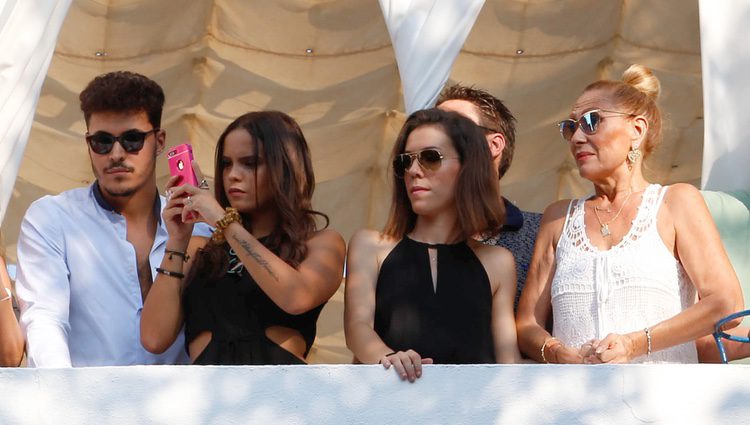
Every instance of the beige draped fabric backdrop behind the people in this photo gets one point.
(219, 59)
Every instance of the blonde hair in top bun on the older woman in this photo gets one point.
(637, 94)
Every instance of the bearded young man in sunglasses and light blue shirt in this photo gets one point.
(87, 256)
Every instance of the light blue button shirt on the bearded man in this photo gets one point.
(78, 285)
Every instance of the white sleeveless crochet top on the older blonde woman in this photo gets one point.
(635, 284)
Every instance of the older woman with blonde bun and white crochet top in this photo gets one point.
(619, 270)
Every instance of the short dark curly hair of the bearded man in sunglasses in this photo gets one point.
(123, 91)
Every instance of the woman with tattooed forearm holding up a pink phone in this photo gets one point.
(254, 291)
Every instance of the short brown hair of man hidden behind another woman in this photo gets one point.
(494, 114)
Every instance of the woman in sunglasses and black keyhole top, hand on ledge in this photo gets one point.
(424, 291)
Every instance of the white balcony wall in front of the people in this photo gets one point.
(345, 394)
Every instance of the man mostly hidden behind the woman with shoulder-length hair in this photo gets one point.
(493, 117)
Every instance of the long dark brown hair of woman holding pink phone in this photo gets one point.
(290, 179)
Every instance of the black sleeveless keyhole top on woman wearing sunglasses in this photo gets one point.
(452, 324)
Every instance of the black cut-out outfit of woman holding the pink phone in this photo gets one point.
(237, 312)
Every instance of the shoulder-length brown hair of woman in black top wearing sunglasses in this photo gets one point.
(478, 202)
